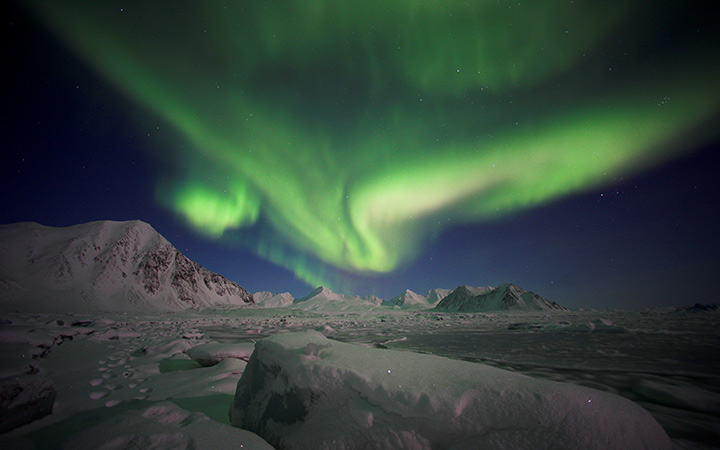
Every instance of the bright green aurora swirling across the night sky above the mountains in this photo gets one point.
(331, 135)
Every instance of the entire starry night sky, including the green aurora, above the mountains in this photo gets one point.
(569, 147)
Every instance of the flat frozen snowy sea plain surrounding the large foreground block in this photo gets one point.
(107, 365)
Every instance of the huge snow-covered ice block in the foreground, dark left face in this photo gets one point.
(302, 390)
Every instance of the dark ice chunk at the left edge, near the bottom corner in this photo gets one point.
(24, 399)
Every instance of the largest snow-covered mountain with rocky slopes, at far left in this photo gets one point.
(104, 266)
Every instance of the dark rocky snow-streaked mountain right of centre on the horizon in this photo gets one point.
(506, 297)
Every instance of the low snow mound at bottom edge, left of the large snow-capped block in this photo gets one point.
(164, 426)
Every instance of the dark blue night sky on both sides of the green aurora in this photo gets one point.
(77, 149)
